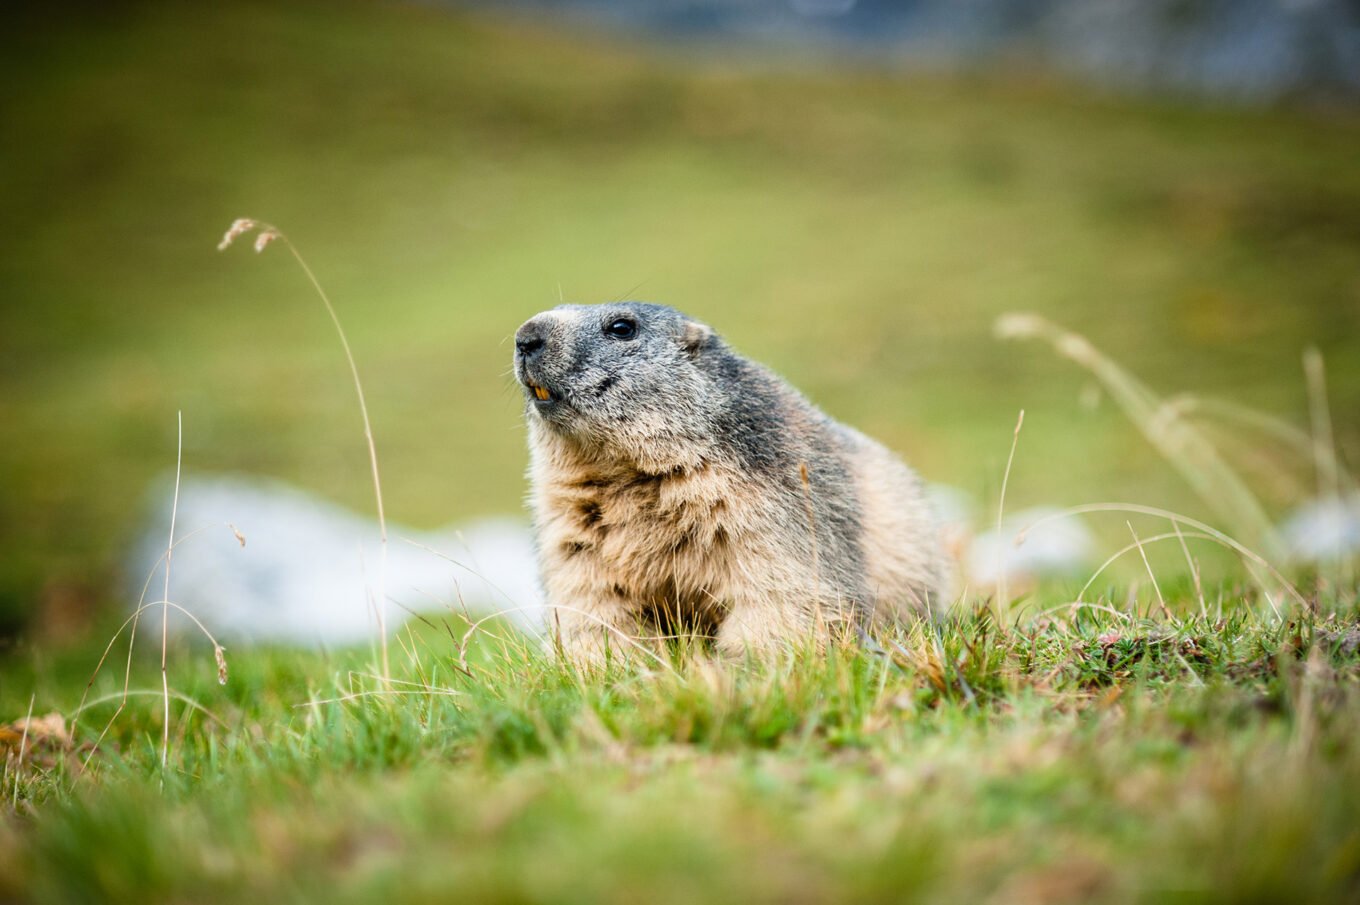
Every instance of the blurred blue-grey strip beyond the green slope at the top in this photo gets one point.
(1241, 51)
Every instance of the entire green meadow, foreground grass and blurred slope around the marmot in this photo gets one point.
(862, 229)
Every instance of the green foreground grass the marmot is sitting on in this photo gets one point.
(1086, 756)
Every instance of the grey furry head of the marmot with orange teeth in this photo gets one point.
(622, 382)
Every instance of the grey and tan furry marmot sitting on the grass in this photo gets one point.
(677, 484)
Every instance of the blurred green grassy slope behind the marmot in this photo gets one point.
(449, 174)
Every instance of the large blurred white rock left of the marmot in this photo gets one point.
(309, 570)
